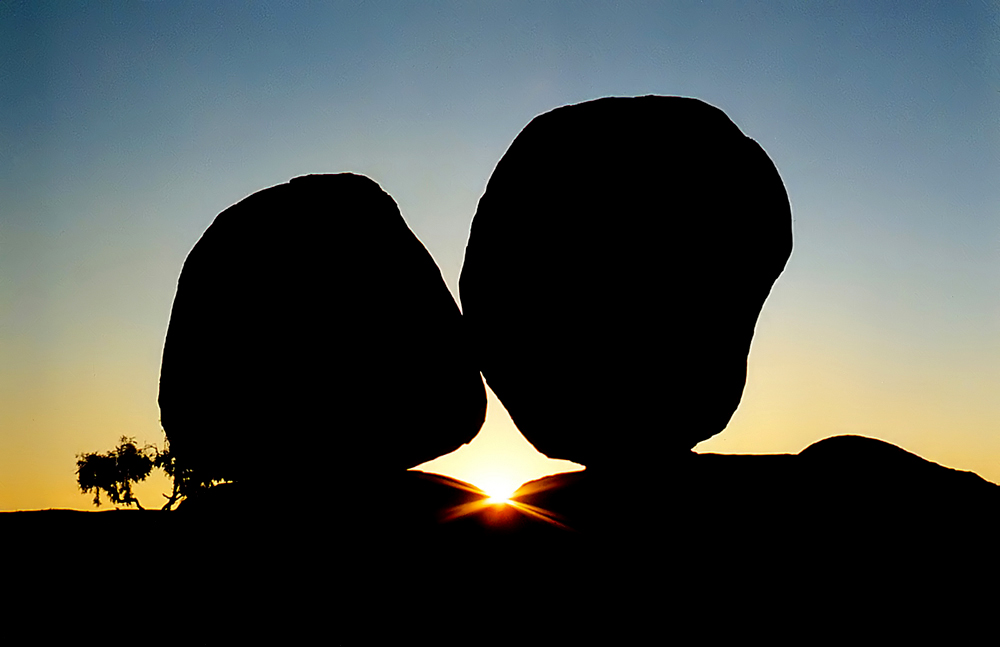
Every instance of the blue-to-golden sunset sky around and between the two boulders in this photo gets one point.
(127, 127)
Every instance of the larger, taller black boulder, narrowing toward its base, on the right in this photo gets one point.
(616, 266)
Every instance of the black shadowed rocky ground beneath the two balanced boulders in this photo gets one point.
(851, 534)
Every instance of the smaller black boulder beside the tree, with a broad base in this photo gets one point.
(312, 336)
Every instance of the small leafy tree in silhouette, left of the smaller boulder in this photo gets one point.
(115, 471)
